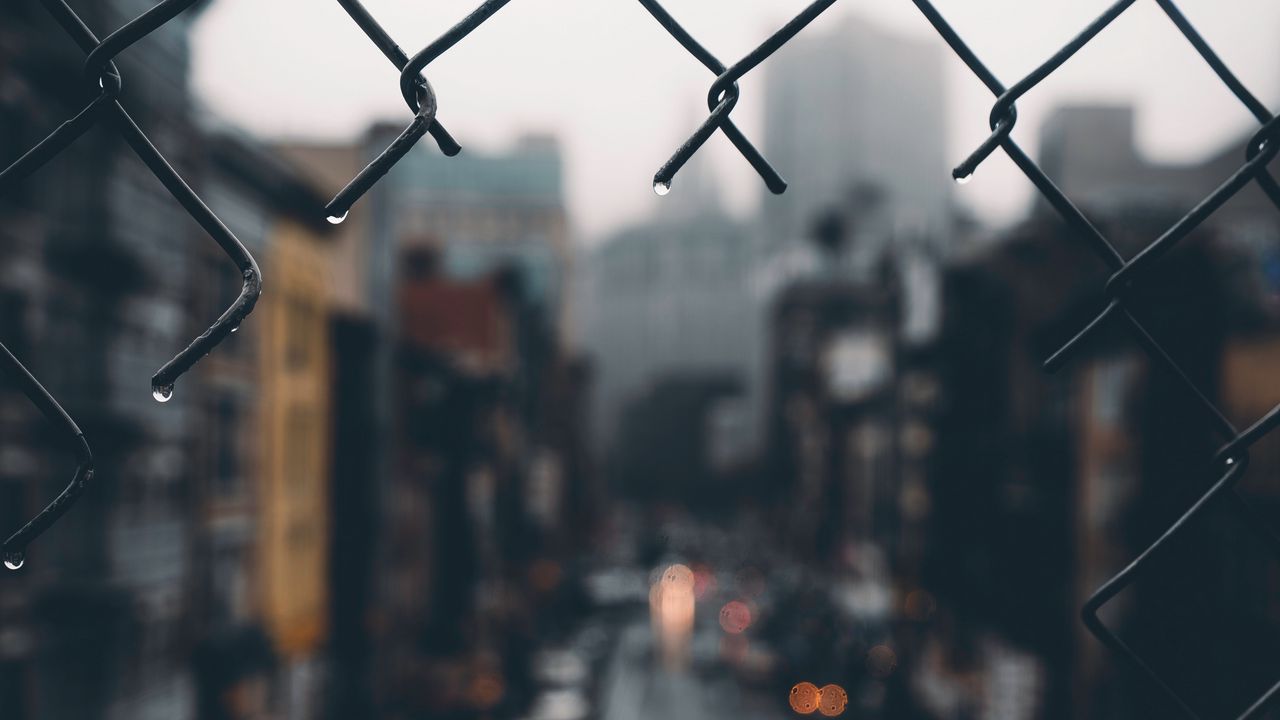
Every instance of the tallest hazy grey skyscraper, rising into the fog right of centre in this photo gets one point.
(858, 113)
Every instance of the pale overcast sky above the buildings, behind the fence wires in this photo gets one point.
(621, 95)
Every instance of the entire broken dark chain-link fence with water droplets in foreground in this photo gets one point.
(104, 84)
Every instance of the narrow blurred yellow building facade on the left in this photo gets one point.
(295, 421)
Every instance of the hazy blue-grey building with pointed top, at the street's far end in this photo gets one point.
(670, 298)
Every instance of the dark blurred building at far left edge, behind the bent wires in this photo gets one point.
(100, 261)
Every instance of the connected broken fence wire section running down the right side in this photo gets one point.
(1233, 458)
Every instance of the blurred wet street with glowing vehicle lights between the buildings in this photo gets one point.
(721, 627)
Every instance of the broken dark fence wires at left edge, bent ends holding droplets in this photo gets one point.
(104, 81)
